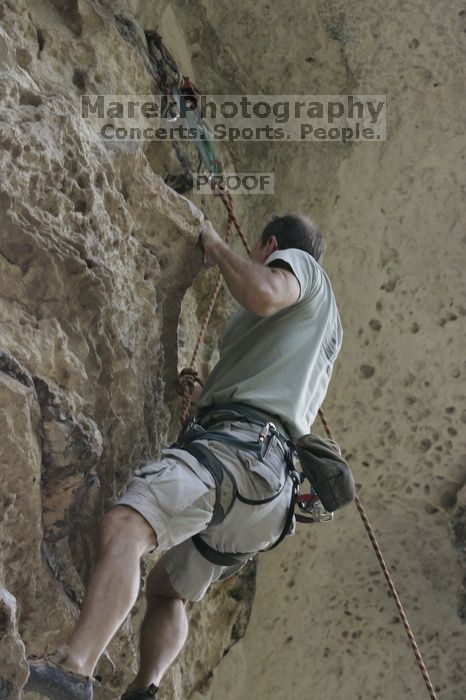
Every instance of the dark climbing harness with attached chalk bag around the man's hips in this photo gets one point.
(330, 478)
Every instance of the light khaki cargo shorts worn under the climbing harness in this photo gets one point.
(176, 495)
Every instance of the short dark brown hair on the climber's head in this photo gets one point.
(294, 230)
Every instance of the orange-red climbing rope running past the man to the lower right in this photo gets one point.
(184, 388)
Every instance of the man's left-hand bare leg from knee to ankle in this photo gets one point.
(123, 537)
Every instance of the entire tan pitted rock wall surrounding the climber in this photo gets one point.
(101, 301)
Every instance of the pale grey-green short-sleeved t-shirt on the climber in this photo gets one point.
(282, 363)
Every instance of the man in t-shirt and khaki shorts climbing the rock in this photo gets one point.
(222, 492)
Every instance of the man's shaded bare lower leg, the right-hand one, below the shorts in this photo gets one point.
(163, 631)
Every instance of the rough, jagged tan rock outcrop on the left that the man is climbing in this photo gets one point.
(96, 254)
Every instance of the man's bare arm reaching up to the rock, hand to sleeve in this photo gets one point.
(258, 288)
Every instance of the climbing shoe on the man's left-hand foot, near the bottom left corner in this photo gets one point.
(48, 678)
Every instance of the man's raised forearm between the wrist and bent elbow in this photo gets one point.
(248, 281)
